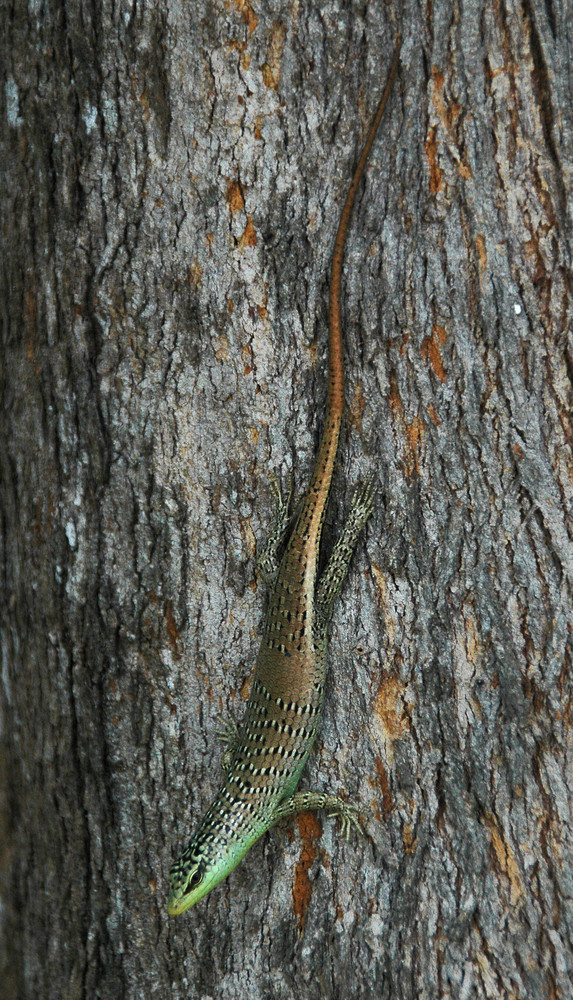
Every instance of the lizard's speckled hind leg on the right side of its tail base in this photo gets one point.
(334, 574)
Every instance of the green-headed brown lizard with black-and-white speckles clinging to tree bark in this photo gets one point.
(266, 754)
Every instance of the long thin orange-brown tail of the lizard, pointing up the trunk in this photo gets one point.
(319, 487)
